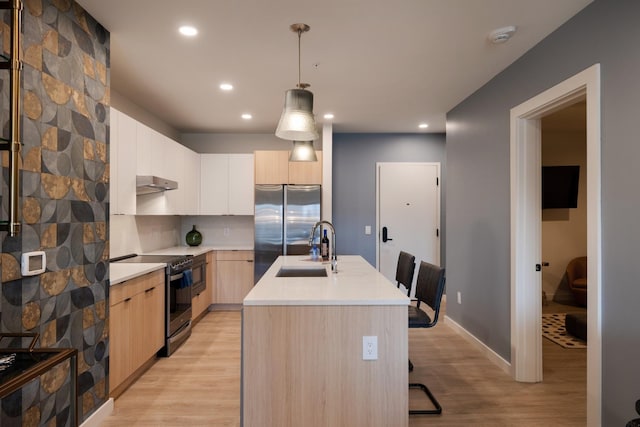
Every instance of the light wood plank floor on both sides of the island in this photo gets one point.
(200, 384)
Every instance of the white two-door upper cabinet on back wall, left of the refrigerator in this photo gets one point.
(226, 184)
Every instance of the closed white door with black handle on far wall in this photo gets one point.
(408, 205)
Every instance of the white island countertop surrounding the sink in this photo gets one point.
(356, 283)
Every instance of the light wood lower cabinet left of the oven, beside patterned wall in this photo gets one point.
(136, 325)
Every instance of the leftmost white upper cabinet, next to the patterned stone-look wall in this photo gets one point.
(123, 155)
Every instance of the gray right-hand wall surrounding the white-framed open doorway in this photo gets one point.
(605, 32)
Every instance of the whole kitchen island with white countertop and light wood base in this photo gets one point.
(303, 351)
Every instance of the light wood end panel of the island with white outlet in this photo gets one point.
(311, 358)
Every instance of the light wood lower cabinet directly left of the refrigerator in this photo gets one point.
(234, 277)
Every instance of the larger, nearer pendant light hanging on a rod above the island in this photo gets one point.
(297, 122)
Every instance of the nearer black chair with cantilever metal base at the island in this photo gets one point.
(429, 289)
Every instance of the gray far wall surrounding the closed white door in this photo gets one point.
(354, 178)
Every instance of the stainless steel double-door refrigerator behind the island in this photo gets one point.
(284, 216)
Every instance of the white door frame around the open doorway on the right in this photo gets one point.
(526, 283)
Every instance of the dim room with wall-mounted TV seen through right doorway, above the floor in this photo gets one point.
(564, 208)
